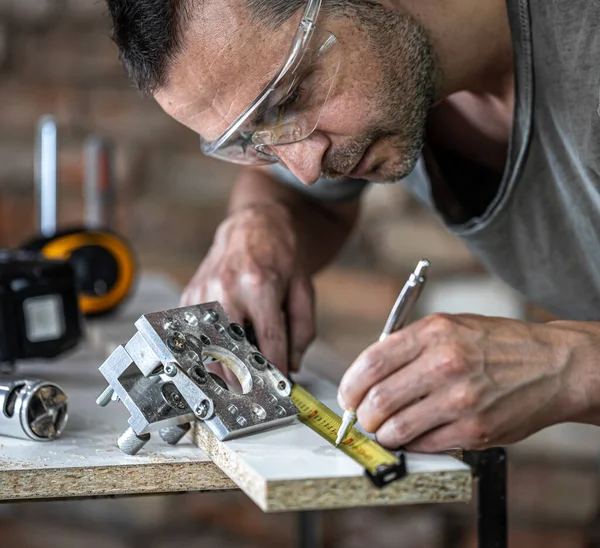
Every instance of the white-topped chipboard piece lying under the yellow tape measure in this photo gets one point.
(292, 468)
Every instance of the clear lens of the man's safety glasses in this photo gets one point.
(289, 113)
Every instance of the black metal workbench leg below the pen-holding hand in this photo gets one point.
(489, 468)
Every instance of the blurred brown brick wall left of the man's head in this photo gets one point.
(56, 57)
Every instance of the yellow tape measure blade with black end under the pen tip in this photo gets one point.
(381, 466)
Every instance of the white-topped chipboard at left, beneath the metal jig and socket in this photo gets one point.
(86, 461)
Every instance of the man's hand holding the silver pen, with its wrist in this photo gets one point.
(449, 381)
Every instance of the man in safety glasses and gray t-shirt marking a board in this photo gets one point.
(487, 111)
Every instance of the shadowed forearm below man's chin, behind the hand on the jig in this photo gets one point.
(321, 230)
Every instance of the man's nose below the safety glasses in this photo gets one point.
(304, 158)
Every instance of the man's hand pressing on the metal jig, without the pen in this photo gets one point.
(253, 269)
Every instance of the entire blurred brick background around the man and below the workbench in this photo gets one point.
(56, 58)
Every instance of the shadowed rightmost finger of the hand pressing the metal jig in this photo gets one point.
(301, 319)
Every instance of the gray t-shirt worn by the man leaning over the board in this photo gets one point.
(541, 231)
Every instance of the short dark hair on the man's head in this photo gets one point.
(148, 33)
